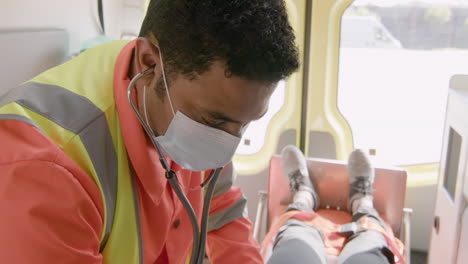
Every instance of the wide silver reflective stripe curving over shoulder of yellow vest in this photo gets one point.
(79, 115)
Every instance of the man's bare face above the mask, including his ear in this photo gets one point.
(211, 98)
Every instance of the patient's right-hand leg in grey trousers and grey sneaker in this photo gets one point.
(366, 246)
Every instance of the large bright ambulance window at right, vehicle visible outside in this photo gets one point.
(396, 59)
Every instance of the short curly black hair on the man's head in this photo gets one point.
(252, 37)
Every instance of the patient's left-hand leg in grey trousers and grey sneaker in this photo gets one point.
(296, 241)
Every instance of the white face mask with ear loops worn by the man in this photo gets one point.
(193, 145)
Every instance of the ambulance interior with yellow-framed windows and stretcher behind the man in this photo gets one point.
(389, 77)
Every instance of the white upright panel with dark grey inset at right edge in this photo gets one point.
(449, 222)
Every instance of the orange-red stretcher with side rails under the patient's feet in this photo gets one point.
(331, 177)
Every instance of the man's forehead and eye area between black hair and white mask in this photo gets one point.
(226, 103)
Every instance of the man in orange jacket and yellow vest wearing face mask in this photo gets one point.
(113, 157)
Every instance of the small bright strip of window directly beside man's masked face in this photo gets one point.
(254, 137)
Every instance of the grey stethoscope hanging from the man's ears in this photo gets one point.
(199, 238)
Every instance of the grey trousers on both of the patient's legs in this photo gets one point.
(297, 242)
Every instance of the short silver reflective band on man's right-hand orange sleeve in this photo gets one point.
(234, 212)
